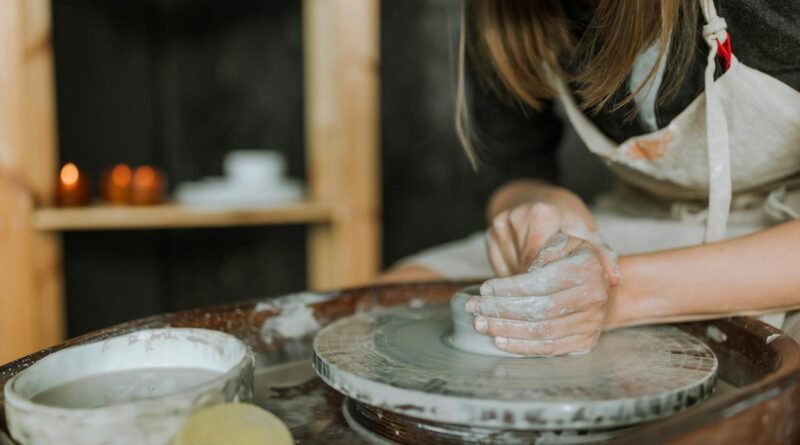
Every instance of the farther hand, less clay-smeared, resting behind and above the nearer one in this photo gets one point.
(517, 236)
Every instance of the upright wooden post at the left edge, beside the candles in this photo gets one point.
(31, 304)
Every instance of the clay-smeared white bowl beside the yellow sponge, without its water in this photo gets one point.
(151, 421)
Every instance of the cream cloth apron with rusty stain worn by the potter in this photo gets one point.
(728, 165)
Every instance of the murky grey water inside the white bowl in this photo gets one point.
(123, 386)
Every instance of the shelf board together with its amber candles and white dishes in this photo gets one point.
(254, 191)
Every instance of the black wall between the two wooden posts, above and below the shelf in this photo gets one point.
(177, 84)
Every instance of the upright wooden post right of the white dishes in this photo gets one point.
(342, 136)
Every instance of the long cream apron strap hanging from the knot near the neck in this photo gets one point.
(718, 145)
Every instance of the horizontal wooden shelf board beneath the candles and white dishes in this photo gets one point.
(102, 217)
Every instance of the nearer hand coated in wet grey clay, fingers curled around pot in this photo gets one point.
(559, 306)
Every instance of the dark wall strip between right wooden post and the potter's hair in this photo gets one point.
(430, 192)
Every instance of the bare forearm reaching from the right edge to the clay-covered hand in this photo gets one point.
(755, 274)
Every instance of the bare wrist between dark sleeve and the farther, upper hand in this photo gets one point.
(519, 192)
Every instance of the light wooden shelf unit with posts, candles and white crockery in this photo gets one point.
(38, 201)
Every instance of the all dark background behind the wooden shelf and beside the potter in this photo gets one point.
(179, 83)
